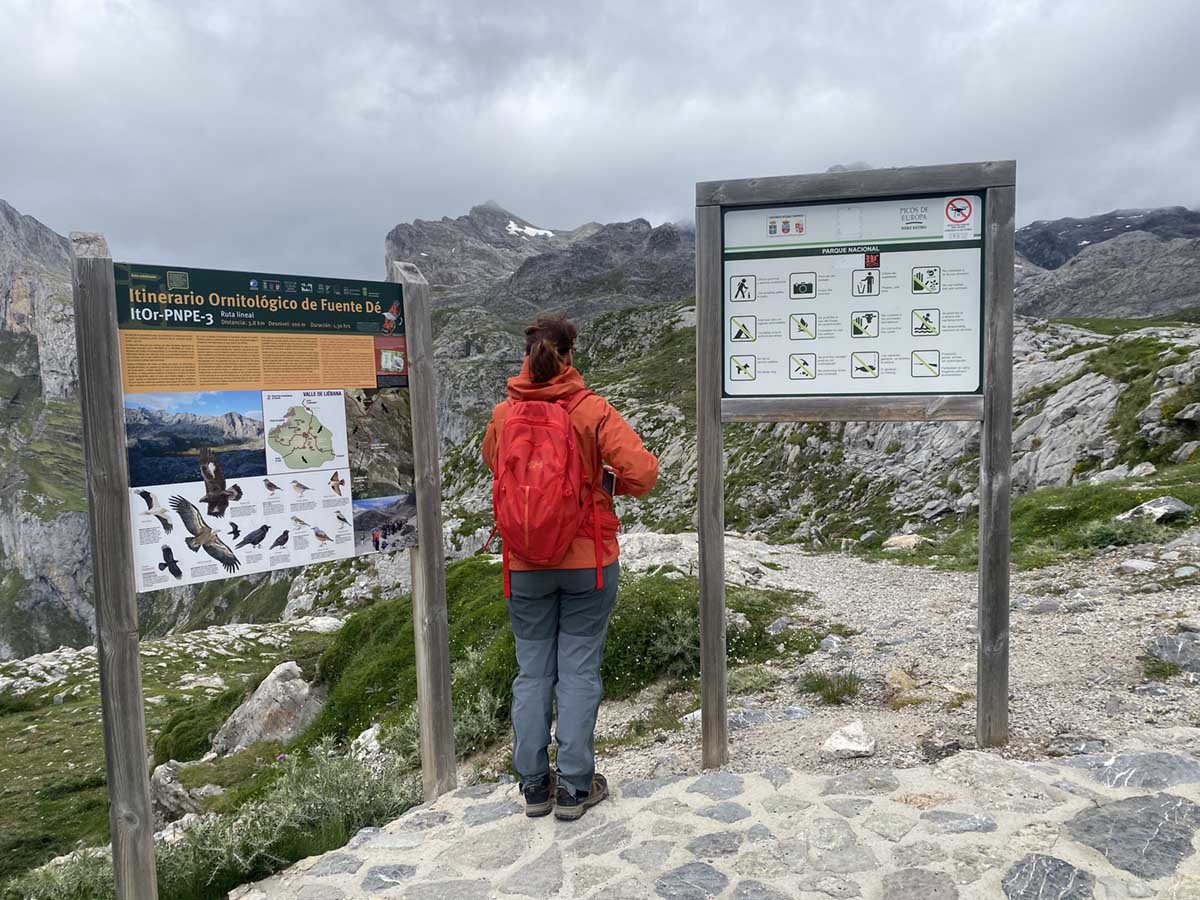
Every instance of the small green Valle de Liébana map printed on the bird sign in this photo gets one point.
(305, 430)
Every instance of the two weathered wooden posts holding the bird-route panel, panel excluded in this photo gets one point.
(131, 815)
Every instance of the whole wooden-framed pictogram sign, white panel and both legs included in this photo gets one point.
(874, 296)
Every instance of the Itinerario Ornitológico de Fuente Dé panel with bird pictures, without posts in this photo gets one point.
(267, 421)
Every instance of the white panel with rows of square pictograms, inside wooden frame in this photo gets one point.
(867, 298)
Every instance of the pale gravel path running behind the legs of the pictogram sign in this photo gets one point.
(1077, 681)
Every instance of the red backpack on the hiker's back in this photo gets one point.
(539, 497)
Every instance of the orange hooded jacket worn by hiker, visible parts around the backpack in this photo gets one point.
(602, 435)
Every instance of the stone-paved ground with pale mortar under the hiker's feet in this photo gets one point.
(975, 826)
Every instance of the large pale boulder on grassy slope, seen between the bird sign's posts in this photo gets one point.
(279, 710)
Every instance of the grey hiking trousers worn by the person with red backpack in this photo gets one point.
(560, 621)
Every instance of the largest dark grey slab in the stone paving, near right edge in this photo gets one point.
(1148, 836)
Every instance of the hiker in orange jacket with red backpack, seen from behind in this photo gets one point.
(559, 454)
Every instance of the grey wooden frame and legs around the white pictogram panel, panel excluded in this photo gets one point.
(993, 406)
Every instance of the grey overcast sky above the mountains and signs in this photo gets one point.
(292, 136)
